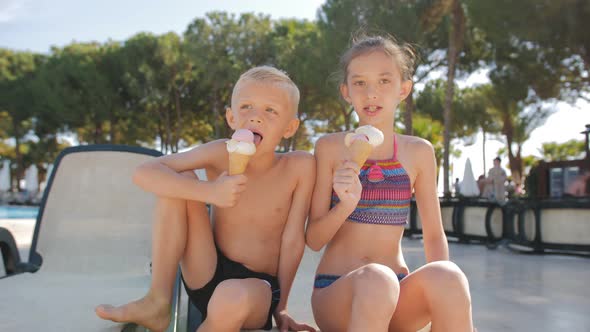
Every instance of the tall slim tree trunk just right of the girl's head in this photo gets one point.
(455, 44)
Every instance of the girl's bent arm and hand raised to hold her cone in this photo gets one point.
(323, 221)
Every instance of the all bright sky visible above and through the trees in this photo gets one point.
(36, 25)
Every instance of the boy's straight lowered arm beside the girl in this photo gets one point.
(293, 238)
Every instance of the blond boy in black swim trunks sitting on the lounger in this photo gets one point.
(239, 271)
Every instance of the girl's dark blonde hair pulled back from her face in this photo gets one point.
(403, 54)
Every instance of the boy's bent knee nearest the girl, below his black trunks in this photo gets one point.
(236, 304)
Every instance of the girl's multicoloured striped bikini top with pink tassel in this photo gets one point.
(386, 194)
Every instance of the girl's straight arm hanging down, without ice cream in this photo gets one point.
(435, 240)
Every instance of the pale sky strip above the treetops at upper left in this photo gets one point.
(37, 24)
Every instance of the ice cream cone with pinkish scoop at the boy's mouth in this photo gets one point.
(240, 148)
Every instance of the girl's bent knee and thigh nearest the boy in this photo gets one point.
(362, 300)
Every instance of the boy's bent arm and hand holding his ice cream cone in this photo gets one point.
(163, 177)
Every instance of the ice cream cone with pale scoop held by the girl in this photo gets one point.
(362, 142)
